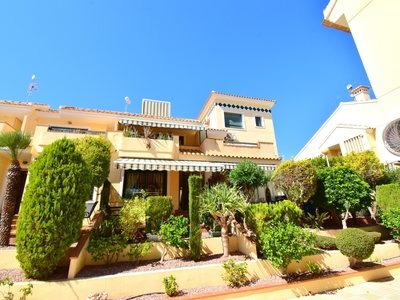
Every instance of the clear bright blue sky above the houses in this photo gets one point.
(94, 53)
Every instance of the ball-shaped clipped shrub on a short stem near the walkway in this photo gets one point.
(355, 244)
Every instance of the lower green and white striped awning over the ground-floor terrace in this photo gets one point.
(177, 165)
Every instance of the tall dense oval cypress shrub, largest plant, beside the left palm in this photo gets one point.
(53, 208)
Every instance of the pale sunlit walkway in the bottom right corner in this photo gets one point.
(386, 288)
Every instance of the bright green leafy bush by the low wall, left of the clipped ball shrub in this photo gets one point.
(284, 242)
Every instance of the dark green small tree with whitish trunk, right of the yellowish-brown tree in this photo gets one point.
(345, 190)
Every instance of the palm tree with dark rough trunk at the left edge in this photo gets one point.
(14, 142)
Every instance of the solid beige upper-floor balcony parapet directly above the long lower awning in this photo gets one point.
(140, 147)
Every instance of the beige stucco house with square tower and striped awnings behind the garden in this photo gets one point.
(175, 146)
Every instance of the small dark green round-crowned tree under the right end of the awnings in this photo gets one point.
(247, 175)
